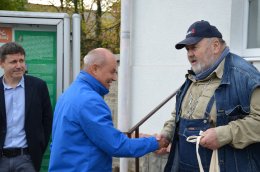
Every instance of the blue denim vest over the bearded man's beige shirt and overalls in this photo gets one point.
(232, 98)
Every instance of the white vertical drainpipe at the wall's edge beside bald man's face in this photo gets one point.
(124, 76)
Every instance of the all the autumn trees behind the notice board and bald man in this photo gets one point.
(100, 20)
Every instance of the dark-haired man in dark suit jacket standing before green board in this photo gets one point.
(25, 113)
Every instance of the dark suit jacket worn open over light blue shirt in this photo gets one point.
(38, 117)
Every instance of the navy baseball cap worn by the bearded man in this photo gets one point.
(197, 31)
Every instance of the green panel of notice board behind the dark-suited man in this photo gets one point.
(41, 61)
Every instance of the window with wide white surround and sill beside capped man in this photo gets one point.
(245, 30)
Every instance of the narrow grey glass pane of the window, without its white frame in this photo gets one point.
(253, 31)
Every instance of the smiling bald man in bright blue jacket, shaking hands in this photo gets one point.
(83, 137)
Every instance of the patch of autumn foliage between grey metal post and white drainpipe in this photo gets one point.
(100, 27)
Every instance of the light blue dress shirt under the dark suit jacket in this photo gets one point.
(15, 115)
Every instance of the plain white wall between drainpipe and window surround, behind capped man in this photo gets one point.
(157, 67)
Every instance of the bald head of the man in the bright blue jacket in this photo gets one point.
(101, 63)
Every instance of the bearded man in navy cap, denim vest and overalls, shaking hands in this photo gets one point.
(221, 96)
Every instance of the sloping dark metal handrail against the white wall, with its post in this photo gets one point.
(136, 127)
